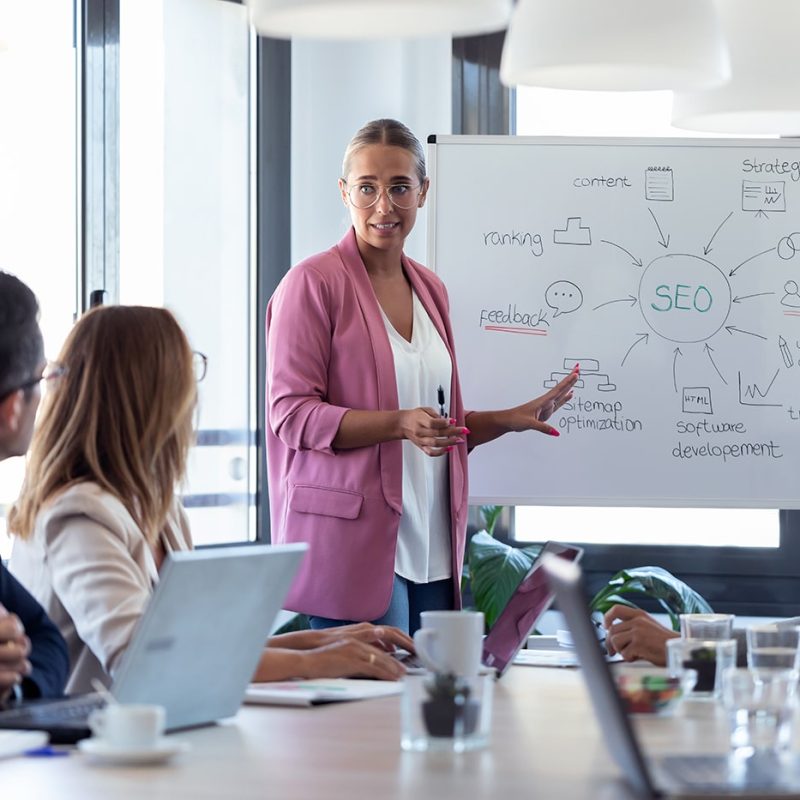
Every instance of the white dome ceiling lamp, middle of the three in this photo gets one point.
(615, 45)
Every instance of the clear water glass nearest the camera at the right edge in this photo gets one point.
(760, 710)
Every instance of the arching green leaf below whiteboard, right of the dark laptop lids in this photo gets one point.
(672, 594)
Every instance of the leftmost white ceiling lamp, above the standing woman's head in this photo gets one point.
(369, 19)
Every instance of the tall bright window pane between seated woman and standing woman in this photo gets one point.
(185, 227)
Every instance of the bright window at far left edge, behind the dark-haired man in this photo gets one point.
(38, 168)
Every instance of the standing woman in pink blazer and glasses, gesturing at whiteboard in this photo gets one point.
(367, 436)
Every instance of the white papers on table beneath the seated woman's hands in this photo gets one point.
(316, 692)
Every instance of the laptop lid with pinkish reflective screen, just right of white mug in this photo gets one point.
(524, 609)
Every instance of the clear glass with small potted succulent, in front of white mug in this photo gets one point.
(444, 712)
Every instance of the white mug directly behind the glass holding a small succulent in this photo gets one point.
(451, 641)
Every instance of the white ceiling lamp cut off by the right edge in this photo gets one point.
(762, 95)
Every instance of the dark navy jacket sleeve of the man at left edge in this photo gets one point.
(48, 650)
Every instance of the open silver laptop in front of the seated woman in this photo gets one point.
(196, 646)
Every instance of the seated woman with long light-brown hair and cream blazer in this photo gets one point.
(98, 510)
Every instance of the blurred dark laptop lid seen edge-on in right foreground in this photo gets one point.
(567, 584)
